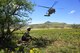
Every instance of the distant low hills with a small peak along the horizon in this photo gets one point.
(49, 24)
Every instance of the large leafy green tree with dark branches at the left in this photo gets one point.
(12, 14)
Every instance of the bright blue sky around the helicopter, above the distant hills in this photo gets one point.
(67, 11)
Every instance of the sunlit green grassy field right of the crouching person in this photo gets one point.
(62, 40)
